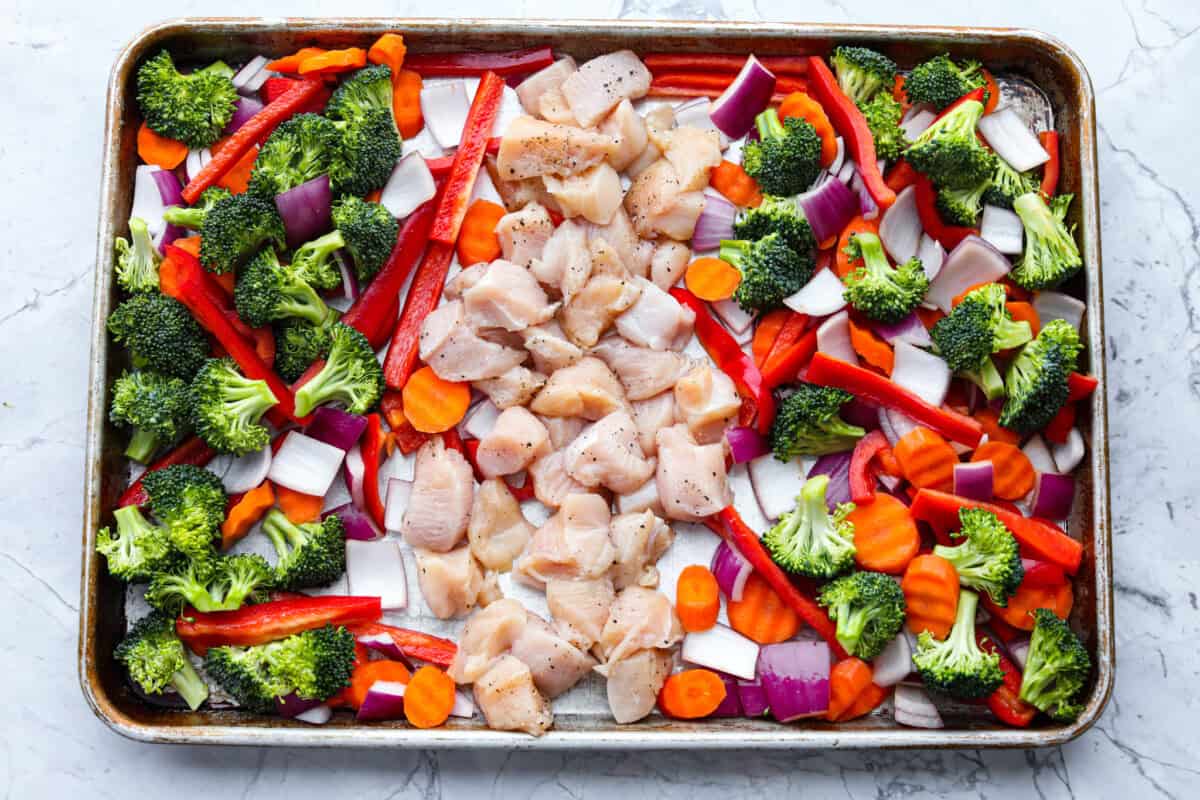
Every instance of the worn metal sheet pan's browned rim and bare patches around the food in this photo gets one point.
(1039, 74)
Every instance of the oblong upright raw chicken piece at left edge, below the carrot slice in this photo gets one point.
(441, 500)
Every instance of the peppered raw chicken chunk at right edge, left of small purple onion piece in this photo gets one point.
(692, 478)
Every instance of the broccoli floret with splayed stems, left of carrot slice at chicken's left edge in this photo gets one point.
(352, 375)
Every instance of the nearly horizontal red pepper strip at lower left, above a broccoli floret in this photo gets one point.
(273, 621)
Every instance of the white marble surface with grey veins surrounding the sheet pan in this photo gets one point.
(1144, 58)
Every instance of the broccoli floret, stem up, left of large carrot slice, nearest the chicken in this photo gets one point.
(809, 540)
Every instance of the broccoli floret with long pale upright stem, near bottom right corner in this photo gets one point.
(959, 667)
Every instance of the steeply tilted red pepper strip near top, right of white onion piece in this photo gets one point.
(467, 160)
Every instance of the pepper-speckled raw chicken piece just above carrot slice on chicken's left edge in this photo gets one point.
(458, 353)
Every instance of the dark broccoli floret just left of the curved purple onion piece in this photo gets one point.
(236, 228)
